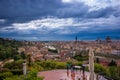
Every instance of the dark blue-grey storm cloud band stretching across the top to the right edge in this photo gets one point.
(42, 8)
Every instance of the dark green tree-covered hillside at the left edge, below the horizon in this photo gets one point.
(8, 48)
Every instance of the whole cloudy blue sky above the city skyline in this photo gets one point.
(59, 19)
